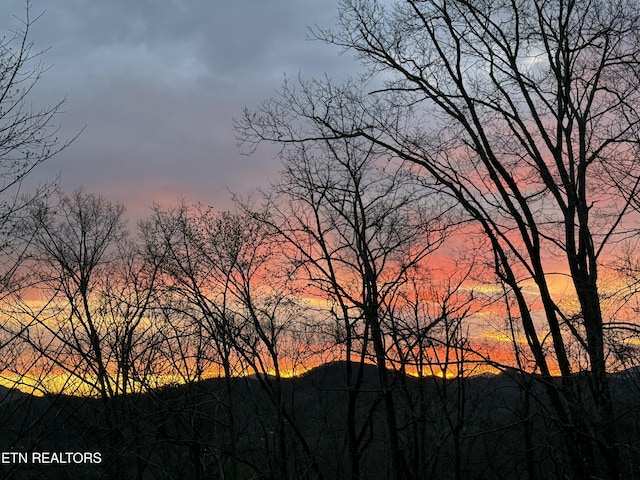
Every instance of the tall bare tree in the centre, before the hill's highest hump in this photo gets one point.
(354, 230)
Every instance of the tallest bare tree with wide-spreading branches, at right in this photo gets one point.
(527, 114)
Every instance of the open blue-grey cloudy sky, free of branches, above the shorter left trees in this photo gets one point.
(155, 84)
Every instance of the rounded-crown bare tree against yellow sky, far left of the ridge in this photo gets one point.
(87, 317)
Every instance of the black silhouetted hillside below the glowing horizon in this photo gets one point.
(486, 427)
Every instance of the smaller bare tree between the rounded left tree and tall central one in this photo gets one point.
(196, 261)
